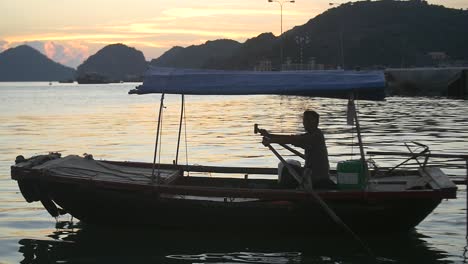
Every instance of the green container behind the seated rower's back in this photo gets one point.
(350, 175)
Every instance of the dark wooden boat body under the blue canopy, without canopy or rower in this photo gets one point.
(117, 192)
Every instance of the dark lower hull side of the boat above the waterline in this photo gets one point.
(103, 205)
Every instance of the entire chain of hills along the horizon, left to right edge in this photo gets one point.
(365, 34)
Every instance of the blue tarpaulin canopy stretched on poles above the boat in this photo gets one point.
(369, 85)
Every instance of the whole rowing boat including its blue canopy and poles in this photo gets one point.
(366, 198)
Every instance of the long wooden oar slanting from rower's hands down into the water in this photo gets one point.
(320, 201)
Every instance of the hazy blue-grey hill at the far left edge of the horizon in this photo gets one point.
(24, 63)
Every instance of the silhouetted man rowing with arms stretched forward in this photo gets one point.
(316, 167)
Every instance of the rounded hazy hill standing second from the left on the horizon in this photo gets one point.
(116, 62)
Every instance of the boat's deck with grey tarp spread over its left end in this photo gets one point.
(131, 174)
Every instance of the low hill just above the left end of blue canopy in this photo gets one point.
(197, 56)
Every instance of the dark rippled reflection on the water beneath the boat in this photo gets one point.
(74, 243)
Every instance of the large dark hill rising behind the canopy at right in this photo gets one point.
(366, 34)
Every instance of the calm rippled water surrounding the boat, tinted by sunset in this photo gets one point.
(103, 120)
